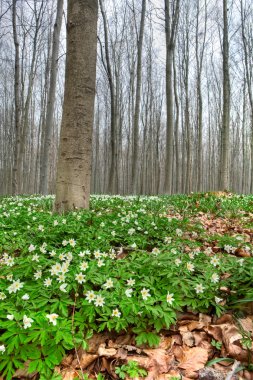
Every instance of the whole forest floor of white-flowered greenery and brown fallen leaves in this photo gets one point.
(154, 287)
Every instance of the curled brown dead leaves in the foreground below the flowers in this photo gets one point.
(184, 351)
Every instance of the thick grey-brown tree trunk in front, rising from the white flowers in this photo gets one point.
(74, 157)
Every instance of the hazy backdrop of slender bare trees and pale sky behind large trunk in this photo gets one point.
(131, 156)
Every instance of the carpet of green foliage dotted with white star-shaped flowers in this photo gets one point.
(129, 264)
